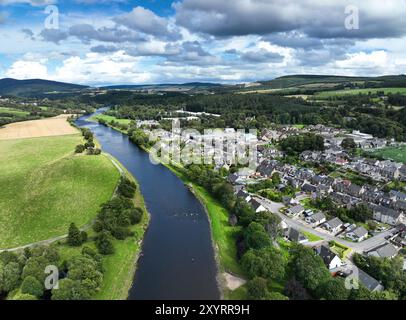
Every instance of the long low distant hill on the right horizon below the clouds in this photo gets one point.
(307, 80)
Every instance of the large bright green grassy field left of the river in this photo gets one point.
(45, 187)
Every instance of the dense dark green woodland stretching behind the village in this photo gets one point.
(250, 111)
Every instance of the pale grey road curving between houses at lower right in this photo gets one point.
(358, 247)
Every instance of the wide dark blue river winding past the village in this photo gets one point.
(177, 261)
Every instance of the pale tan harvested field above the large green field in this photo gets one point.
(57, 126)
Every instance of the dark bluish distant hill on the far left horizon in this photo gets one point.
(33, 87)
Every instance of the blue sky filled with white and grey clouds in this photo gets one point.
(106, 42)
